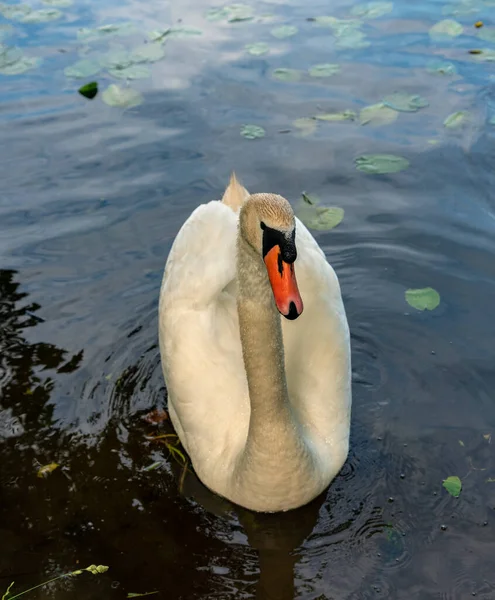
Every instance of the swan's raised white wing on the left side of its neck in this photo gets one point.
(200, 343)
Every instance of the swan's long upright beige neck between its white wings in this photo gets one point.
(262, 344)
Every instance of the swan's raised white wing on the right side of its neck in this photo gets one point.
(317, 353)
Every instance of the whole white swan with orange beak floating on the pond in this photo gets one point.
(259, 386)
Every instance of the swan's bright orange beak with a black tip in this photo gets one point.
(284, 284)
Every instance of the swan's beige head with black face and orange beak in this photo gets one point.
(268, 224)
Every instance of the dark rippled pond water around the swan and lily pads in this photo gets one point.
(91, 199)
